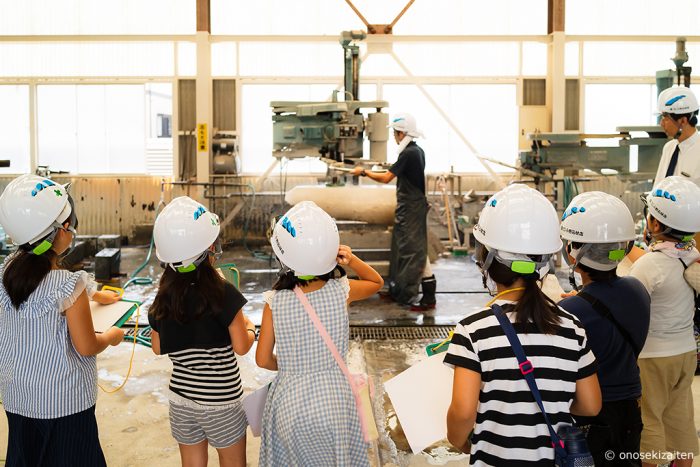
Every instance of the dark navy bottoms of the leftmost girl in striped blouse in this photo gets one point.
(56, 442)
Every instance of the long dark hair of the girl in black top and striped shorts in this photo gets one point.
(204, 286)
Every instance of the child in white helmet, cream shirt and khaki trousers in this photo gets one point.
(668, 360)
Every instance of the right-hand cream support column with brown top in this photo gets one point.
(556, 80)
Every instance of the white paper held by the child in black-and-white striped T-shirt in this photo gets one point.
(421, 396)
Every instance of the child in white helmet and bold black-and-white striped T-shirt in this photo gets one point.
(517, 235)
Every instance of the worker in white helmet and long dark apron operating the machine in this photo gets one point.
(409, 244)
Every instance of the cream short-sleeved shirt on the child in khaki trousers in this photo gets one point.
(672, 305)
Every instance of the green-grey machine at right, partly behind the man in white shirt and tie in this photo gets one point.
(552, 151)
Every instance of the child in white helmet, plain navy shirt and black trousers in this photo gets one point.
(599, 231)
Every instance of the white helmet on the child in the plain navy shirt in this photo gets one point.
(603, 224)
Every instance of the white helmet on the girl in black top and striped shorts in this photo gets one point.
(183, 233)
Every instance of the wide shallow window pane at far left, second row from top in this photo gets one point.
(62, 59)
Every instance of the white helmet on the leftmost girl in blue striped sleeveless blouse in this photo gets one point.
(33, 209)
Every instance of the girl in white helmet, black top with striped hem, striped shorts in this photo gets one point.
(198, 322)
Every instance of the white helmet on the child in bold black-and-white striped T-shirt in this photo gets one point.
(516, 223)
